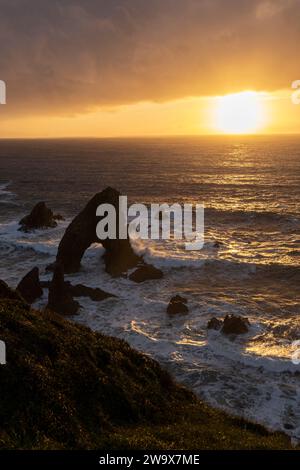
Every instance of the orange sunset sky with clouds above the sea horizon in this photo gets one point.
(138, 67)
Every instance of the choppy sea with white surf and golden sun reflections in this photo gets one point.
(250, 188)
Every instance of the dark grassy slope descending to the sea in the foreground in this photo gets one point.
(65, 386)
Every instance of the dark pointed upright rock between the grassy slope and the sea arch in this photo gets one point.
(60, 299)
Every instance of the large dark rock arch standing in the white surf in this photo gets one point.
(81, 233)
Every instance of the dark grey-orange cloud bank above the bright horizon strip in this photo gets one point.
(69, 56)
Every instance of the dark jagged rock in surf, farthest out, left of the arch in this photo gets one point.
(40, 217)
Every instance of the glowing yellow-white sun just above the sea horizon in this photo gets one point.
(239, 113)
